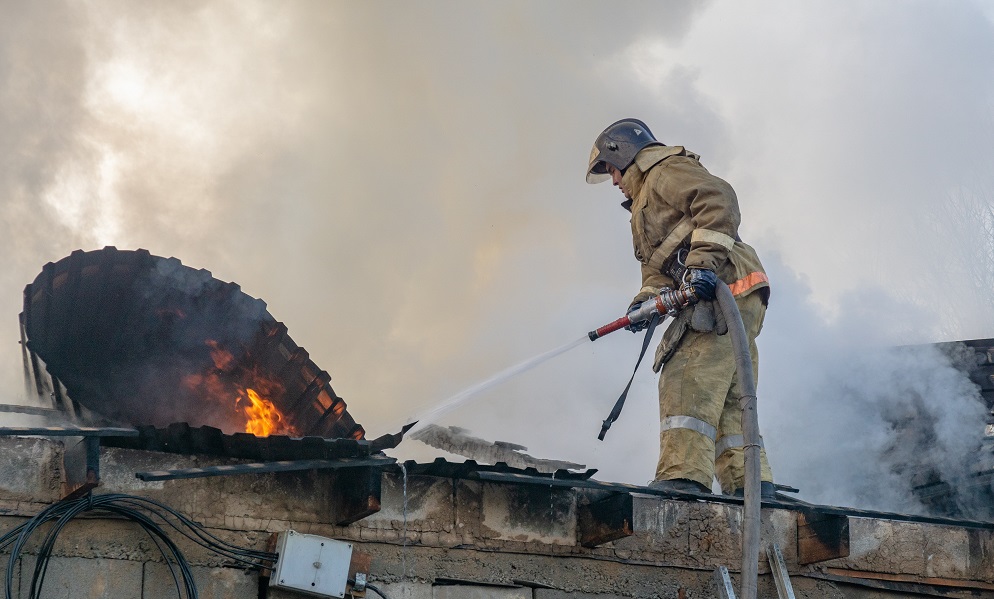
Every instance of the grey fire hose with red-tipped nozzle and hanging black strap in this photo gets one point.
(670, 302)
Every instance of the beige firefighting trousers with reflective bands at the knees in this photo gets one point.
(700, 416)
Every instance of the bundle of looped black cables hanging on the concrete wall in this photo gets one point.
(155, 518)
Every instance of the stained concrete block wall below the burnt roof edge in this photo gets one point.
(457, 539)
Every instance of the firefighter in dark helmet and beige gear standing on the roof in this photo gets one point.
(685, 232)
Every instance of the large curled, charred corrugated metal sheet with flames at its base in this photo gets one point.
(145, 340)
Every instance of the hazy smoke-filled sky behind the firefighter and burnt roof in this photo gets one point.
(403, 184)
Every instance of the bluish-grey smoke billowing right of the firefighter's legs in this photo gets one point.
(851, 419)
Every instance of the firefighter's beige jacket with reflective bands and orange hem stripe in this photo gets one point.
(676, 201)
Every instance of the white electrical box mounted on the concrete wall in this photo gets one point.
(311, 564)
